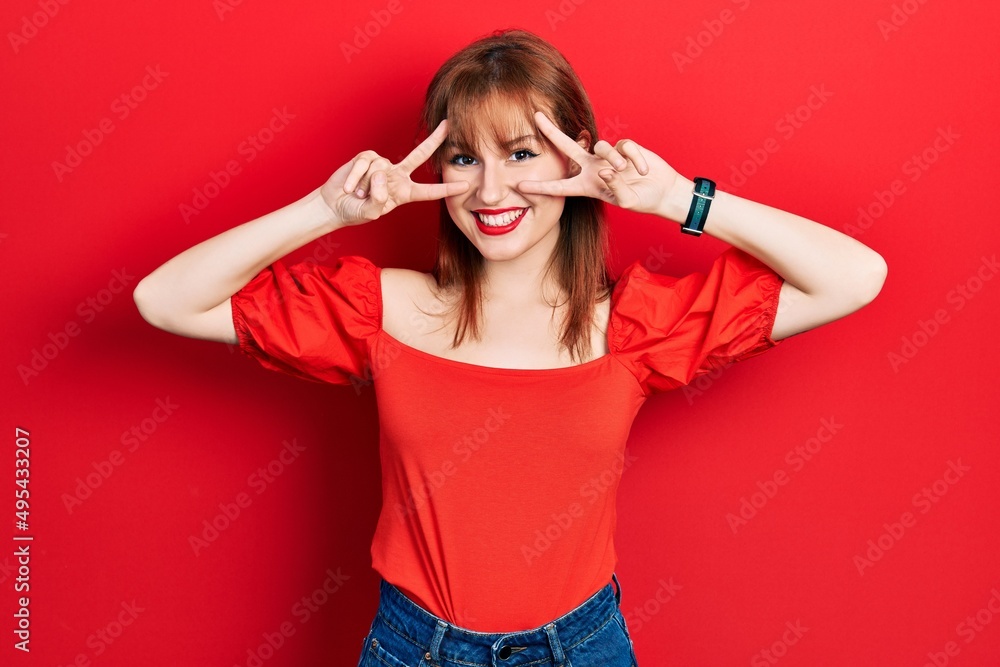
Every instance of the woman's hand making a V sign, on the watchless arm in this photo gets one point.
(369, 186)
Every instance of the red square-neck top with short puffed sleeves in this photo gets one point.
(499, 485)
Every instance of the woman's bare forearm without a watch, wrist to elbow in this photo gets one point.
(205, 275)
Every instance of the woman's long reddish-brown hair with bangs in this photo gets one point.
(514, 70)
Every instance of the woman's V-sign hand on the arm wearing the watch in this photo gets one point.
(625, 174)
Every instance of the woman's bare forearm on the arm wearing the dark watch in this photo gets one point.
(816, 259)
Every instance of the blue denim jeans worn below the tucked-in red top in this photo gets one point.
(404, 634)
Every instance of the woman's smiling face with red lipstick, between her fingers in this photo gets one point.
(500, 221)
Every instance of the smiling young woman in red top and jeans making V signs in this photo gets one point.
(508, 378)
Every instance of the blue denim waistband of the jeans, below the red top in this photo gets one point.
(451, 642)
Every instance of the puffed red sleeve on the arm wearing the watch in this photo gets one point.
(669, 330)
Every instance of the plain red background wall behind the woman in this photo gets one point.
(698, 454)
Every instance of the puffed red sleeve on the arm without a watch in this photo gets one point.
(311, 321)
